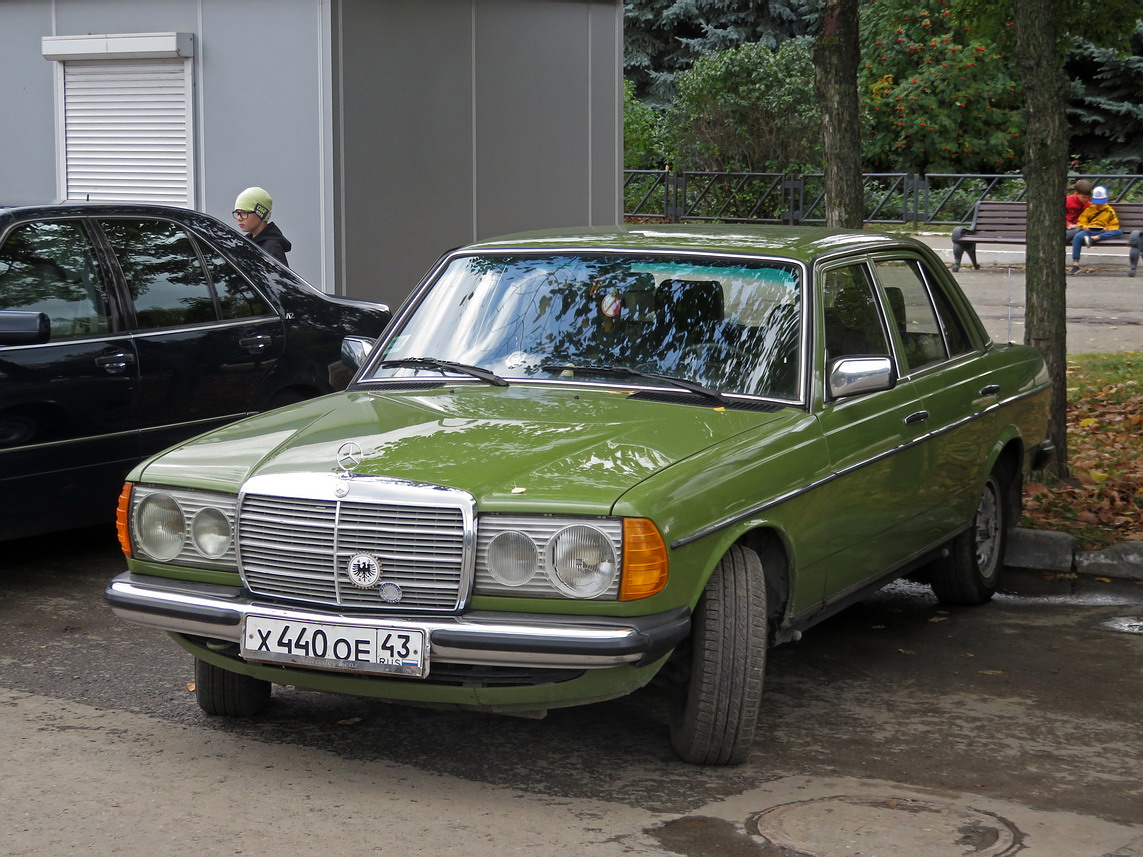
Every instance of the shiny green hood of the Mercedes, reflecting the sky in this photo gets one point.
(519, 447)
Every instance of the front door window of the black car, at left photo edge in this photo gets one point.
(50, 268)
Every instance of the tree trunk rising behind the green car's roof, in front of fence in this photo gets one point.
(836, 59)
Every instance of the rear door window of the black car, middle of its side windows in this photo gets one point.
(163, 273)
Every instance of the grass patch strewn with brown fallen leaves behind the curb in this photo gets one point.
(1102, 502)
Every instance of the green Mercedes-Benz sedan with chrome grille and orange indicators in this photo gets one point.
(578, 460)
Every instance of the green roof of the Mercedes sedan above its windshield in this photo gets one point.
(801, 243)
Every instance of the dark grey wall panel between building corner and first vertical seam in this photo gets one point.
(406, 140)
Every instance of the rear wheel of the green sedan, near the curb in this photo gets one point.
(971, 572)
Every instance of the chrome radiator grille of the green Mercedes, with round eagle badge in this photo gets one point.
(301, 549)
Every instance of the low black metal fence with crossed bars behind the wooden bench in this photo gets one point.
(937, 199)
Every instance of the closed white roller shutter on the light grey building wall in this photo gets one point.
(127, 131)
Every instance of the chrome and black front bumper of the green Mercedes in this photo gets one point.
(485, 638)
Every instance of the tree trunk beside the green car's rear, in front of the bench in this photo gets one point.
(1041, 61)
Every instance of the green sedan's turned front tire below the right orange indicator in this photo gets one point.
(715, 714)
